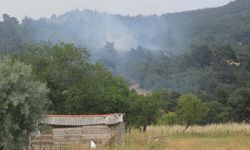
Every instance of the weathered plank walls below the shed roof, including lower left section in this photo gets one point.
(100, 134)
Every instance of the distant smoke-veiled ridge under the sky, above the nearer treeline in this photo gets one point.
(228, 25)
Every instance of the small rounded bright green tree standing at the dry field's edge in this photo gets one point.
(191, 109)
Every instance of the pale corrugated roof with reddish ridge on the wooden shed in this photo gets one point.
(82, 120)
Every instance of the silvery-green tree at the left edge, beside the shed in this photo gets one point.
(23, 101)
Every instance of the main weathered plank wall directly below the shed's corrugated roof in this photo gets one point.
(100, 134)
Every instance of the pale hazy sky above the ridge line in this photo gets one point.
(41, 8)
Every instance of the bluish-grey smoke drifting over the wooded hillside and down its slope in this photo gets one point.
(123, 44)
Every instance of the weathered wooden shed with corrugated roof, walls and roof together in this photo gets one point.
(103, 129)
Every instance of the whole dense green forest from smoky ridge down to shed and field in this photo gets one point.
(194, 65)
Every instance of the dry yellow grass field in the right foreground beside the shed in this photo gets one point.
(212, 137)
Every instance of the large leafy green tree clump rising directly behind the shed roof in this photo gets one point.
(76, 86)
